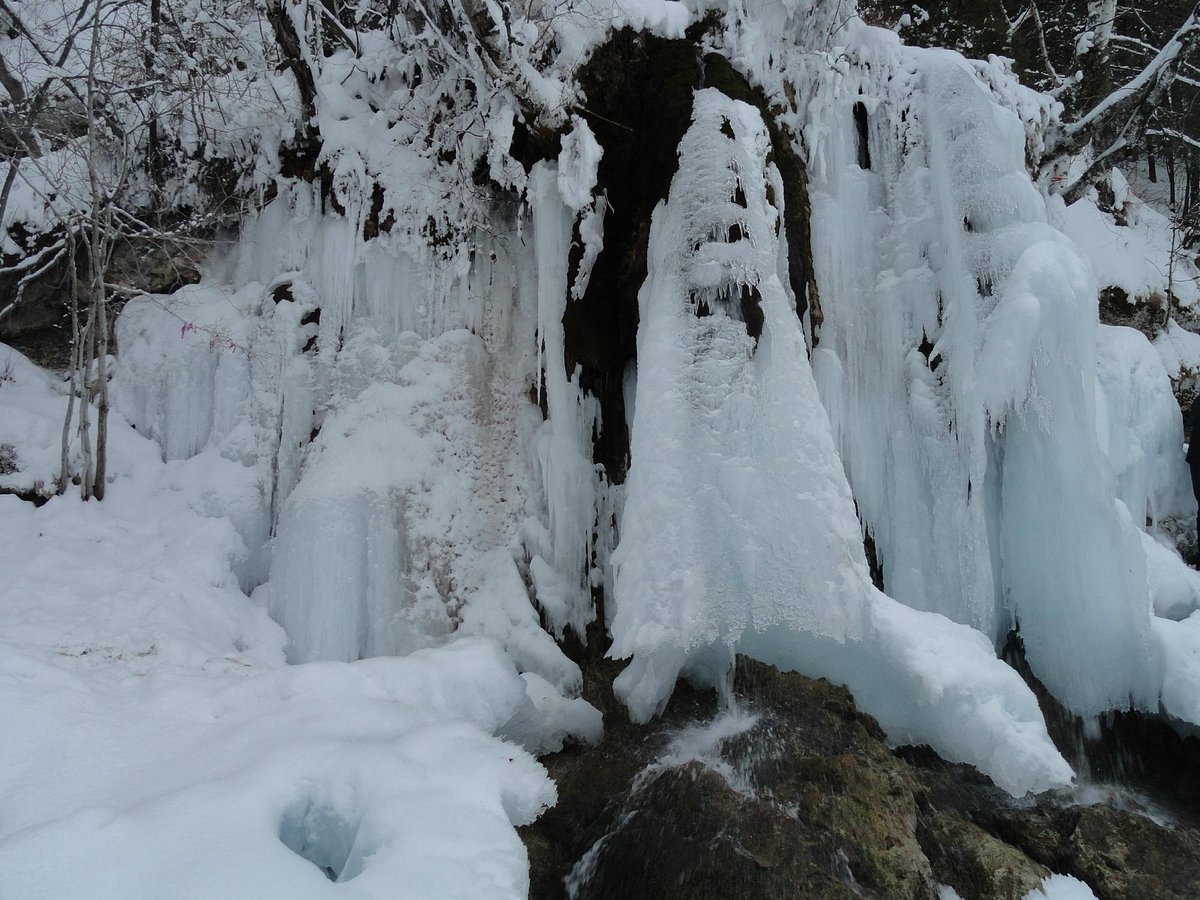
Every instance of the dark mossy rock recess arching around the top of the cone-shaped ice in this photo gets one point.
(640, 131)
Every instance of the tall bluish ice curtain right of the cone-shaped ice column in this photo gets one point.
(958, 362)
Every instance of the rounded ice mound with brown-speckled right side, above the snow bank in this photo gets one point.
(375, 523)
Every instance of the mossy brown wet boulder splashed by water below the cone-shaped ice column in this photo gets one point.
(818, 807)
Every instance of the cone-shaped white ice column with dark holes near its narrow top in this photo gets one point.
(739, 532)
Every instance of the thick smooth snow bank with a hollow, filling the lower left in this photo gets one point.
(166, 747)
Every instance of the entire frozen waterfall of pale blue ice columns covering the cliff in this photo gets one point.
(377, 391)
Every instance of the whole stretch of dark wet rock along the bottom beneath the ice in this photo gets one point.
(809, 802)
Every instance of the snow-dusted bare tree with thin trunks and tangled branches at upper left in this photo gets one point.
(110, 139)
